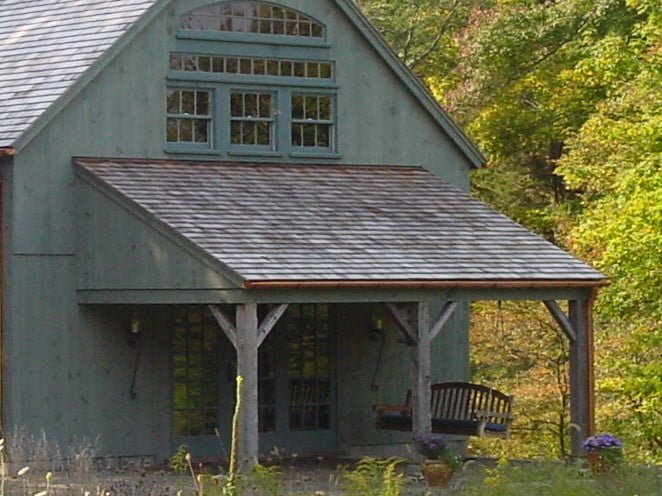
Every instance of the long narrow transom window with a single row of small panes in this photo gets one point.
(251, 66)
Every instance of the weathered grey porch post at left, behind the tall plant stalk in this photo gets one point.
(247, 363)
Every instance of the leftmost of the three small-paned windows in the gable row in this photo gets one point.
(188, 116)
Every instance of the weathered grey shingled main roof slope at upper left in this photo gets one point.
(46, 45)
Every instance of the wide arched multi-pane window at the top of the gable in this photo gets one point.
(252, 17)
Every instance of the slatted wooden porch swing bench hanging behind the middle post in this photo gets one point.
(459, 408)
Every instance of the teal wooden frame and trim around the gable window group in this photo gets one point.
(241, 45)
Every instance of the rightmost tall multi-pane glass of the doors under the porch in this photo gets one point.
(309, 367)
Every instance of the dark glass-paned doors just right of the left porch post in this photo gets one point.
(301, 351)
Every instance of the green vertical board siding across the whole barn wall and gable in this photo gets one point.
(69, 366)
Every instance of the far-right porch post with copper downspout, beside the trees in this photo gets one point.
(582, 393)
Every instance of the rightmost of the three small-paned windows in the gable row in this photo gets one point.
(312, 121)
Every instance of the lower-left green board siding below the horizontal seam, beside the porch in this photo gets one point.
(69, 369)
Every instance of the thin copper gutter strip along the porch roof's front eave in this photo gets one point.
(410, 284)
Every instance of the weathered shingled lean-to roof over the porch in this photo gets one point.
(278, 222)
